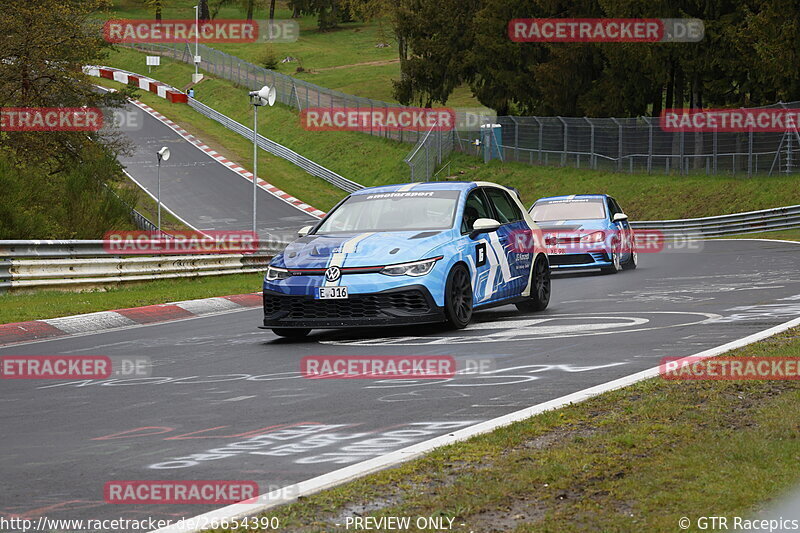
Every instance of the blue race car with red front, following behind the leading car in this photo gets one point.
(586, 231)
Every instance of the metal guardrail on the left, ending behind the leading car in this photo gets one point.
(42, 264)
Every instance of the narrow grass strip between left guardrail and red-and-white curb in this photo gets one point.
(19, 307)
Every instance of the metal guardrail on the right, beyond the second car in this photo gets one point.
(776, 219)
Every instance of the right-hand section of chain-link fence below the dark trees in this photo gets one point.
(640, 145)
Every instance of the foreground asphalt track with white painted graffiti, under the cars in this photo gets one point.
(226, 400)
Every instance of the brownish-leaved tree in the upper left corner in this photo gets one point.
(45, 44)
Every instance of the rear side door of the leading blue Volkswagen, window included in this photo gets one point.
(514, 263)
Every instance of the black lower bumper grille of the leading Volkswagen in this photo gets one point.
(397, 303)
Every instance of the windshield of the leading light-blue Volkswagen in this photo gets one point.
(394, 211)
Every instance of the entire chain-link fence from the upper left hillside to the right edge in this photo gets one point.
(614, 144)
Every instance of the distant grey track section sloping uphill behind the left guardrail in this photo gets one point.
(199, 189)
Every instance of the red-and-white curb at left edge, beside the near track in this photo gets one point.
(121, 318)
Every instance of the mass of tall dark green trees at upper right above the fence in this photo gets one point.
(748, 57)
